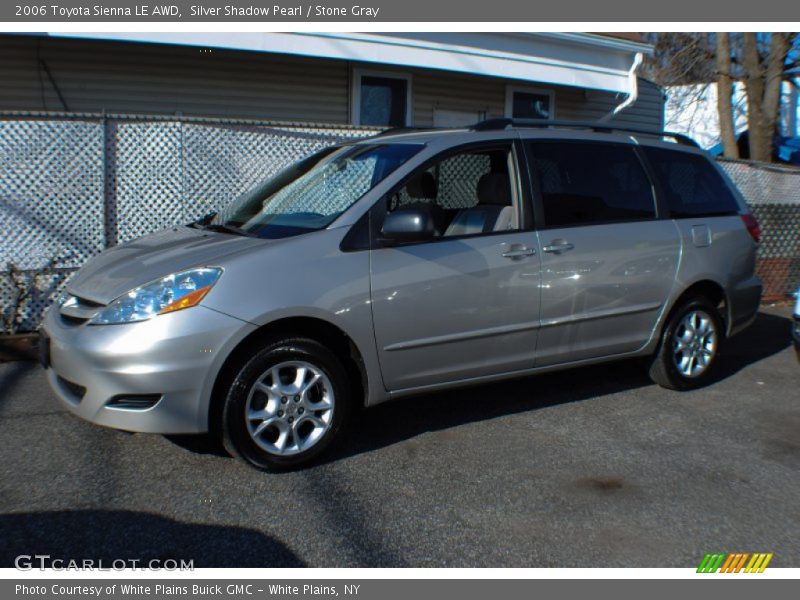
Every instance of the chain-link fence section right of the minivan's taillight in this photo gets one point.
(773, 195)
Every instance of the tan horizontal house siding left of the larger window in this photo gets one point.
(143, 78)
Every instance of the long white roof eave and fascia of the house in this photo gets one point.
(585, 60)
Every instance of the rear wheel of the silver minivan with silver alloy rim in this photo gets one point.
(689, 347)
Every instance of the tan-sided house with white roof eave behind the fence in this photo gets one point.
(397, 79)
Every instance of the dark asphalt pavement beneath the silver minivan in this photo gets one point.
(591, 467)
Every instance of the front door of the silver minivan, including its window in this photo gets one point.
(466, 303)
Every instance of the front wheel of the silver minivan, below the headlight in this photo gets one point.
(286, 405)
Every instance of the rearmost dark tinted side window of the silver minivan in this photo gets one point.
(692, 185)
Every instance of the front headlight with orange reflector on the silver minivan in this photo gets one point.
(168, 294)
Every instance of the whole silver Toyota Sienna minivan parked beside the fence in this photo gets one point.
(405, 263)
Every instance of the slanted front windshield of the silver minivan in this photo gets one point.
(310, 194)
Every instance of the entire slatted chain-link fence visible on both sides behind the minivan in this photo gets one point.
(74, 184)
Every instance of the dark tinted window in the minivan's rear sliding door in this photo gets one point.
(587, 183)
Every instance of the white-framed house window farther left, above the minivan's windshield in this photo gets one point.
(382, 99)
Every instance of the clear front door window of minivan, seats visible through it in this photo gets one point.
(467, 193)
